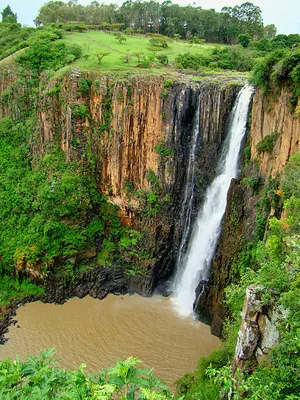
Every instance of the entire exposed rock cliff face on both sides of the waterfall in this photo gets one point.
(137, 132)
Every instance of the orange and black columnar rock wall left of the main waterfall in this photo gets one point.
(136, 132)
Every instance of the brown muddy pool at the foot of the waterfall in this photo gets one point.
(99, 332)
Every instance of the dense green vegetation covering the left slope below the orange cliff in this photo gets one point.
(51, 210)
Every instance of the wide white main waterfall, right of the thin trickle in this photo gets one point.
(206, 230)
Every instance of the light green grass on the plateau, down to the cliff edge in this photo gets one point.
(95, 42)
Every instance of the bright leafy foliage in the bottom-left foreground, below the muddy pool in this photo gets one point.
(39, 378)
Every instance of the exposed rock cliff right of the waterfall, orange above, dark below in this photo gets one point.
(268, 116)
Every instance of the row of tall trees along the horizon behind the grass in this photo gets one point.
(164, 18)
